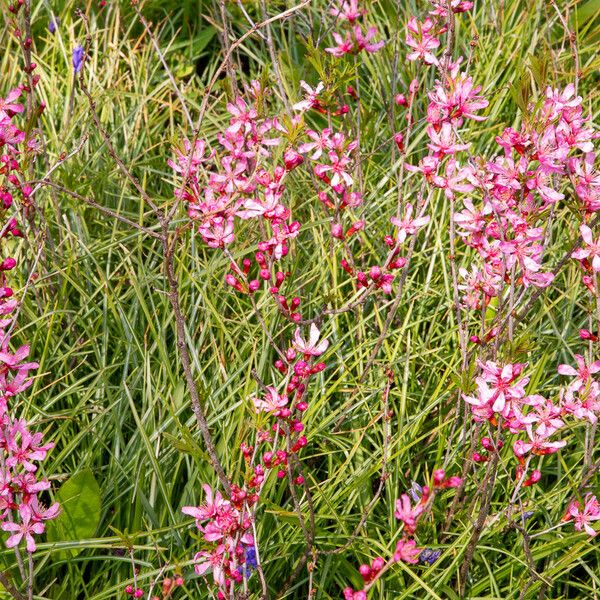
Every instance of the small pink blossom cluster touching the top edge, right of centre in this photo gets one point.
(355, 39)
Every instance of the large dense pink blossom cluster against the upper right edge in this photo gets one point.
(518, 188)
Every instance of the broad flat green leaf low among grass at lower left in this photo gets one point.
(79, 498)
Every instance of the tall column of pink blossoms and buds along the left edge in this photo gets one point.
(22, 514)
